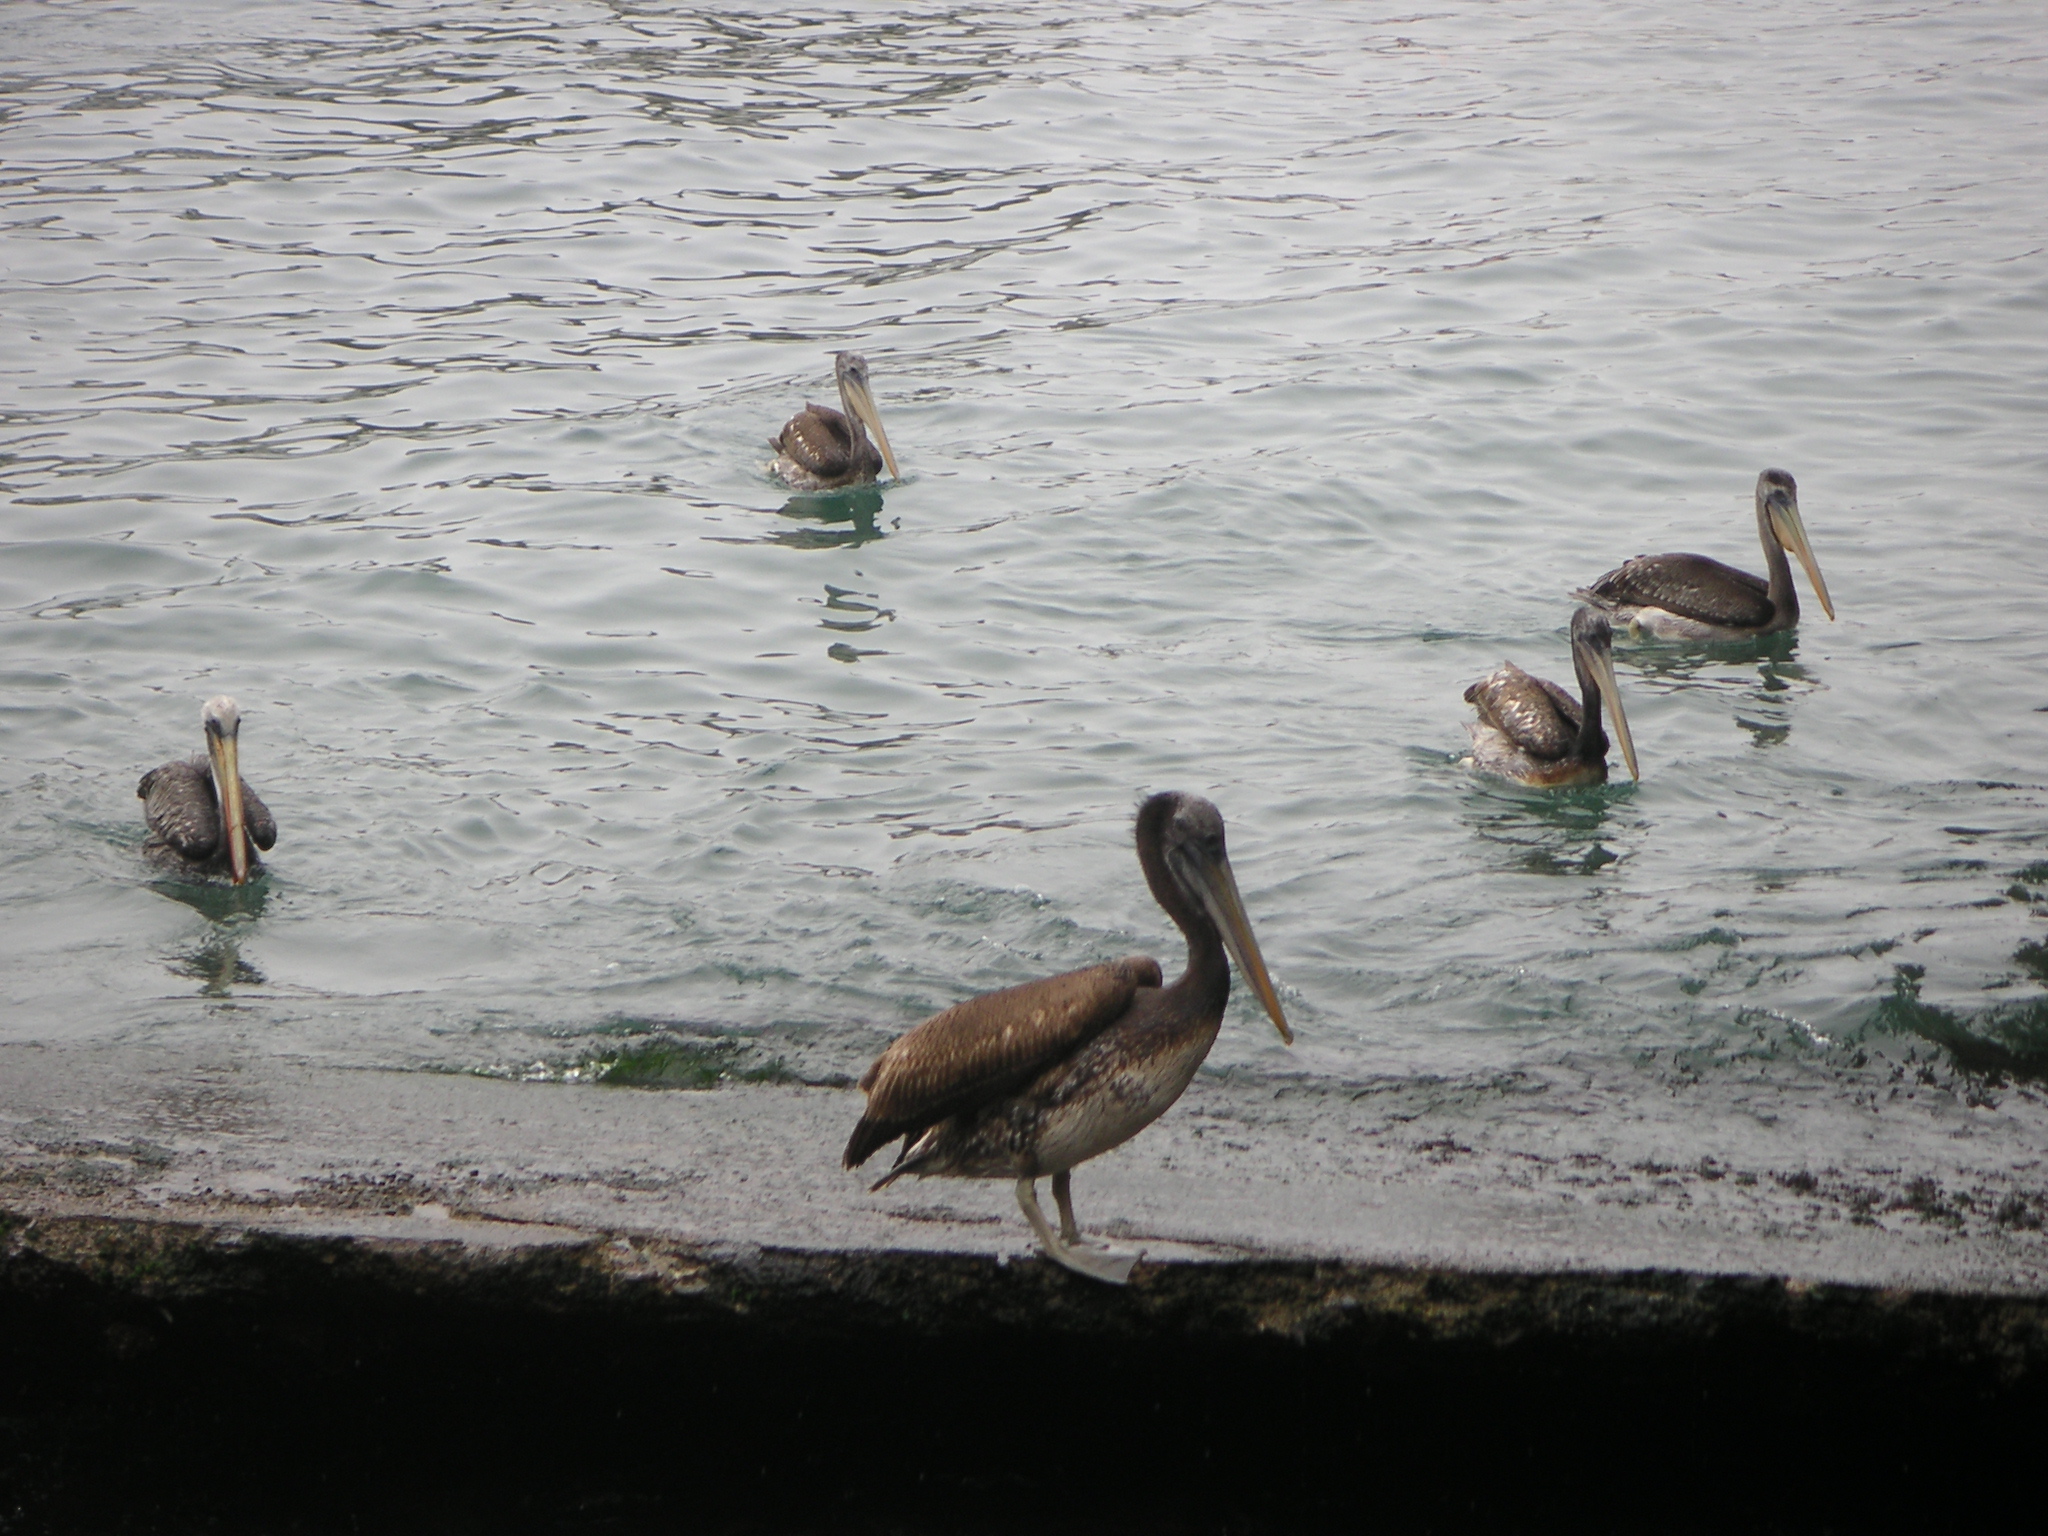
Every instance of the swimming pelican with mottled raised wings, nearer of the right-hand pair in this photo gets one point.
(1535, 732)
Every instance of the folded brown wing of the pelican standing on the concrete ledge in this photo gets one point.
(988, 1048)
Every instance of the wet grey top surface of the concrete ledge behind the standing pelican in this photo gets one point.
(1297, 1170)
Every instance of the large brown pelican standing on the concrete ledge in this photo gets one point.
(1037, 1078)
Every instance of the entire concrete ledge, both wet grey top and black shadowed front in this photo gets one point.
(415, 1302)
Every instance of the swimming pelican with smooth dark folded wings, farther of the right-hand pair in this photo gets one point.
(1693, 597)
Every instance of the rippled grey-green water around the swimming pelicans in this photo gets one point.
(1263, 374)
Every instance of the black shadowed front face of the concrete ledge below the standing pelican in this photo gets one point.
(159, 1377)
